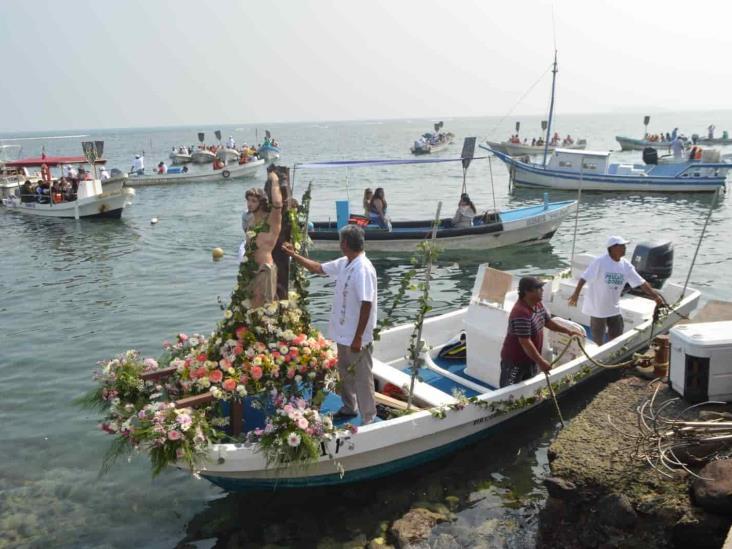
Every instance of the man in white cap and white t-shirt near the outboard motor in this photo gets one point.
(608, 275)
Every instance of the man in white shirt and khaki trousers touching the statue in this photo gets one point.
(352, 320)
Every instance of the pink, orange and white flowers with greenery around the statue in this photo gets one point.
(271, 355)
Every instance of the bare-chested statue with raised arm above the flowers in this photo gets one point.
(264, 284)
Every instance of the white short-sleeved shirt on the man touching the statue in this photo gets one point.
(355, 282)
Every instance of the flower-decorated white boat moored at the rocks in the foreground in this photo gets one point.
(435, 404)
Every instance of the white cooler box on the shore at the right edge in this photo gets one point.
(701, 361)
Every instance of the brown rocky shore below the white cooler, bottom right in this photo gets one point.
(602, 494)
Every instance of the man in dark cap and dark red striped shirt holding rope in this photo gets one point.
(521, 352)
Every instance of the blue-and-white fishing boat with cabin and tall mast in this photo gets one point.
(593, 171)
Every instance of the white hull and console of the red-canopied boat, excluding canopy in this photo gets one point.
(92, 200)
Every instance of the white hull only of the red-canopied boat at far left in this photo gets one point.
(106, 205)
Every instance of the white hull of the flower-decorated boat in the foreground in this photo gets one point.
(383, 448)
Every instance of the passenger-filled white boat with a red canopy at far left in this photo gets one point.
(93, 198)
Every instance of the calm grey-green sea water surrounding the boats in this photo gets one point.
(74, 293)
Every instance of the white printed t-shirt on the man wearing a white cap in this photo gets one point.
(606, 279)
